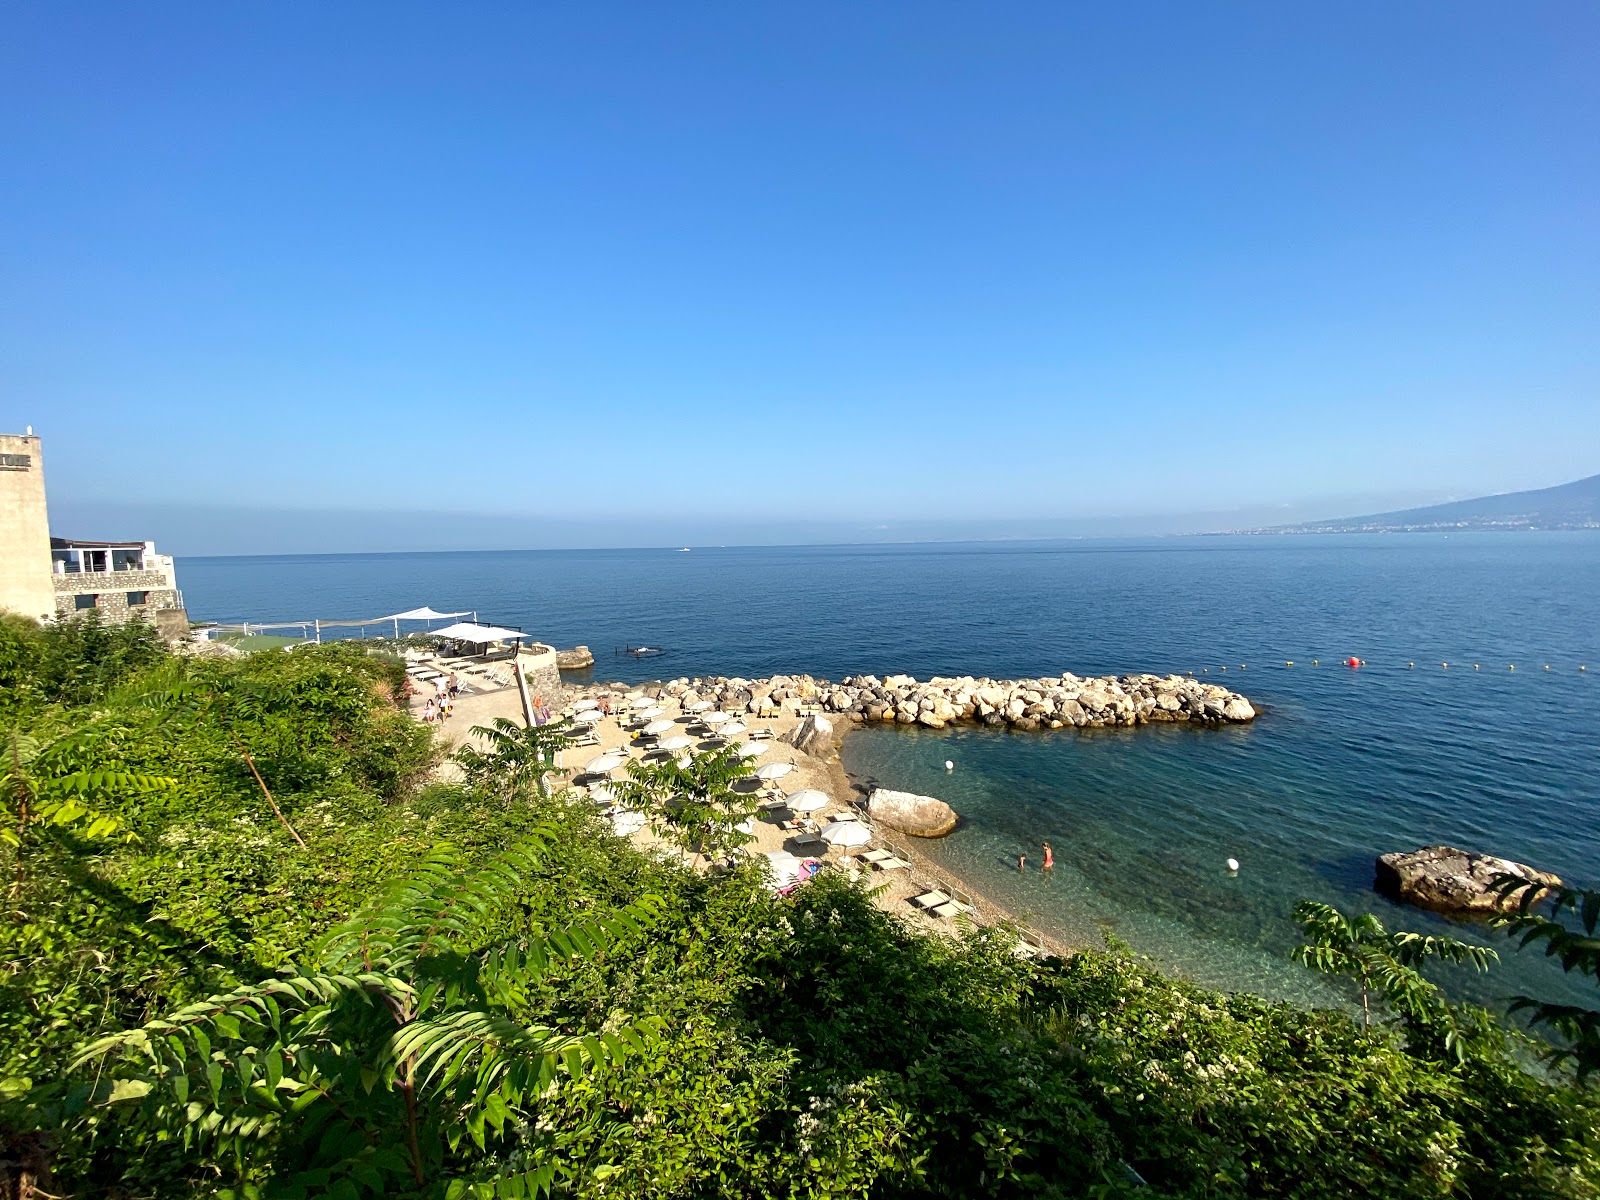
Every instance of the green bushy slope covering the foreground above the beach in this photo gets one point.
(476, 991)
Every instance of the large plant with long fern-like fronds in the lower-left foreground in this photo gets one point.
(366, 1071)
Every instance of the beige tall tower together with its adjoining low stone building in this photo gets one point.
(47, 578)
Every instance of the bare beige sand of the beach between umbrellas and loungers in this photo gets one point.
(825, 774)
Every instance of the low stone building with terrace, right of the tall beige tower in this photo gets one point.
(119, 582)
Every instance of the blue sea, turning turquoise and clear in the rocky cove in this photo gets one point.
(1474, 719)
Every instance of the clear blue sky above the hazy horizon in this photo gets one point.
(860, 263)
